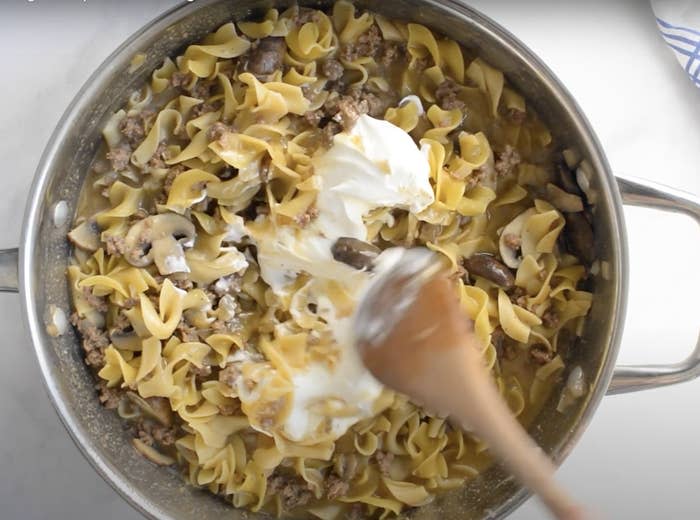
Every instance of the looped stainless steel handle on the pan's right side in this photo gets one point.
(627, 378)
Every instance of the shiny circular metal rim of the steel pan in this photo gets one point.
(610, 196)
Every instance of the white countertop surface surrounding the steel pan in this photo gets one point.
(639, 457)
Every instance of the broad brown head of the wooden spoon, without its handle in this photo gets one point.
(420, 351)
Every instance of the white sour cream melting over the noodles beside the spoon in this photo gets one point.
(374, 165)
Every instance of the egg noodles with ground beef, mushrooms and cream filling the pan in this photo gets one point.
(227, 228)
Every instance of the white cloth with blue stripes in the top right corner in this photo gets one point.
(679, 23)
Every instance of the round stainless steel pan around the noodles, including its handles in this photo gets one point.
(43, 256)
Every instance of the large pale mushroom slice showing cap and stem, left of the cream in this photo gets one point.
(160, 239)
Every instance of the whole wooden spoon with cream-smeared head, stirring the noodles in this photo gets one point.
(412, 335)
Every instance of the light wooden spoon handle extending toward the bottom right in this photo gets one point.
(485, 412)
